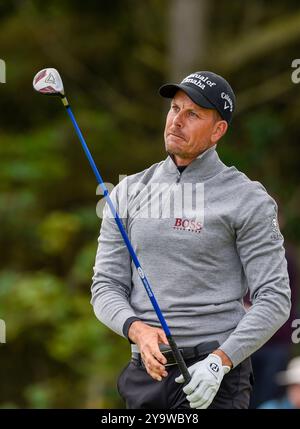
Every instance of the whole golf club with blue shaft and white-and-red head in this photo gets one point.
(49, 82)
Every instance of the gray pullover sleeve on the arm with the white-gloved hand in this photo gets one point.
(260, 246)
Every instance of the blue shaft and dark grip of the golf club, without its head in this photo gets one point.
(176, 352)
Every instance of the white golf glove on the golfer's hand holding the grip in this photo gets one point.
(206, 377)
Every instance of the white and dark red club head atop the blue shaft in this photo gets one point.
(48, 81)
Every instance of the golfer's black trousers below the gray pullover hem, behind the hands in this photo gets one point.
(140, 391)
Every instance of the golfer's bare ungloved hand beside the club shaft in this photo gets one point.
(148, 338)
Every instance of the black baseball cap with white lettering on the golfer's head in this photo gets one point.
(206, 89)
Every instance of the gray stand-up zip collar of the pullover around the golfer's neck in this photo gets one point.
(205, 166)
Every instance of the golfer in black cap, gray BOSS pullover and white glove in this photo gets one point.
(200, 262)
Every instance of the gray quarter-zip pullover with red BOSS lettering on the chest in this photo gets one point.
(199, 265)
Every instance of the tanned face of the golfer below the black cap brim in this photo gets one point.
(190, 129)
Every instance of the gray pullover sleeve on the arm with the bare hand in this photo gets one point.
(112, 274)
